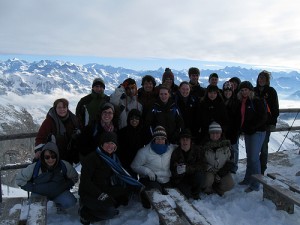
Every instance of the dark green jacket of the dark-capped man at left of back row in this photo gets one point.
(89, 106)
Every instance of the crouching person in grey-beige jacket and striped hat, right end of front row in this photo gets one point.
(217, 162)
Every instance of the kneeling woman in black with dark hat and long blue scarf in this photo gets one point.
(104, 183)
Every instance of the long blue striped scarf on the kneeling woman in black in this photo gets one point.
(120, 172)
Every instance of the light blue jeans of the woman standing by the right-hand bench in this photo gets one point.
(253, 145)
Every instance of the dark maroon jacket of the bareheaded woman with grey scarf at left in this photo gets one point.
(66, 132)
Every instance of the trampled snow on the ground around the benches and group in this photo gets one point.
(235, 207)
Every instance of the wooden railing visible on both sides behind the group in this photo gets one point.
(31, 135)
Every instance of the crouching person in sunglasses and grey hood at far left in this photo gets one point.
(50, 177)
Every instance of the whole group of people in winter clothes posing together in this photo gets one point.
(167, 135)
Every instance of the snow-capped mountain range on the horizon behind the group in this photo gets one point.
(24, 78)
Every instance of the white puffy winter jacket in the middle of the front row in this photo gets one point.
(147, 161)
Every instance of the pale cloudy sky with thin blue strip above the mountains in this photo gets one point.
(152, 34)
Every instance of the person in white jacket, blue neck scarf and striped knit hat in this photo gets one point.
(152, 163)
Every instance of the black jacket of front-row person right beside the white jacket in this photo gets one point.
(192, 160)
